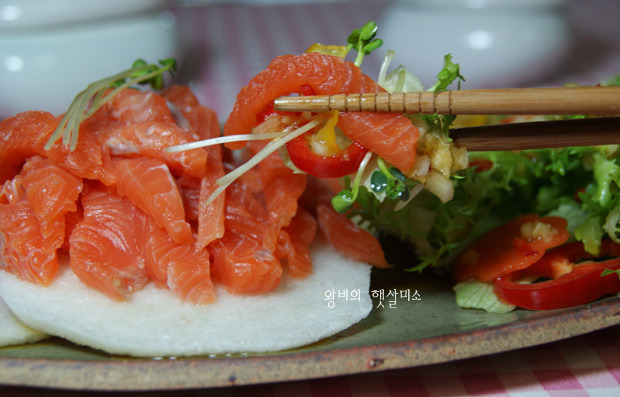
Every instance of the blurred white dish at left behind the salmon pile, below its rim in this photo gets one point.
(43, 69)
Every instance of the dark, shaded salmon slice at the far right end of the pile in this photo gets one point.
(349, 240)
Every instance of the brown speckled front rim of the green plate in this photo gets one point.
(133, 374)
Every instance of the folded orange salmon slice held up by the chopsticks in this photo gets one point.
(325, 74)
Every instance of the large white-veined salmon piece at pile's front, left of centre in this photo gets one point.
(105, 248)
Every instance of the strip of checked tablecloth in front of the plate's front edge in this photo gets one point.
(587, 365)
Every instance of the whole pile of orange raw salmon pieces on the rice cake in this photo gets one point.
(127, 213)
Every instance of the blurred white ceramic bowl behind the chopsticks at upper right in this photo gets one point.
(497, 43)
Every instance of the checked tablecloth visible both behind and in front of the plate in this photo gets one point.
(223, 52)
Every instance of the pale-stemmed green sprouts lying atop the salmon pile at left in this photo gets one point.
(97, 94)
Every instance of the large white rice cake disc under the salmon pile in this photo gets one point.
(156, 324)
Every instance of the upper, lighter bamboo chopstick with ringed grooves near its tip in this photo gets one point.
(511, 101)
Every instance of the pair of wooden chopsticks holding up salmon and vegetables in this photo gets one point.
(599, 101)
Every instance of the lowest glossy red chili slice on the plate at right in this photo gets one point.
(582, 285)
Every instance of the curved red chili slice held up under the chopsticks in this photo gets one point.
(335, 166)
